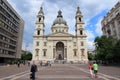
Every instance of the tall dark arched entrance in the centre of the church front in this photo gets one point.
(59, 51)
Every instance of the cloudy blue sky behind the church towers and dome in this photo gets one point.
(93, 12)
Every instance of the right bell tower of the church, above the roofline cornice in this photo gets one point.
(79, 23)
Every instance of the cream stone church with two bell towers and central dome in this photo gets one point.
(60, 45)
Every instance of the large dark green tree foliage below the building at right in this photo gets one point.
(107, 49)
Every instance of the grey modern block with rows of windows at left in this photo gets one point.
(11, 32)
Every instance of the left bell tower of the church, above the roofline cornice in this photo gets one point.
(39, 29)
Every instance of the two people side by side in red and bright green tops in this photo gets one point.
(93, 69)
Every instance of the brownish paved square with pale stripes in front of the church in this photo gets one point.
(61, 72)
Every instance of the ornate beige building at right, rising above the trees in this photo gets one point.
(111, 22)
